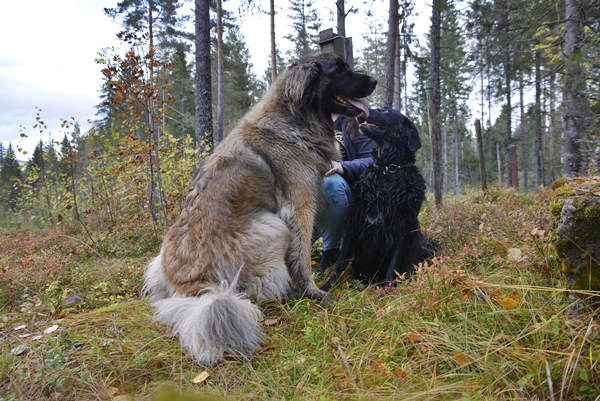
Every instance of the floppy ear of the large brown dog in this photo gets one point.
(301, 82)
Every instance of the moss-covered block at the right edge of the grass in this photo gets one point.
(576, 210)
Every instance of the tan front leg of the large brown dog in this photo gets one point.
(300, 223)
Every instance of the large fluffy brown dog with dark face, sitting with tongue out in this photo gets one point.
(247, 223)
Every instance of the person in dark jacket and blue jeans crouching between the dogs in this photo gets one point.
(355, 149)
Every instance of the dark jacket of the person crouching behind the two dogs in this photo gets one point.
(357, 154)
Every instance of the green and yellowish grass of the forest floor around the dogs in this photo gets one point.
(486, 320)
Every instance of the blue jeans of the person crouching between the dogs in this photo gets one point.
(329, 222)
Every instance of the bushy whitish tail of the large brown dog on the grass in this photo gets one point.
(216, 322)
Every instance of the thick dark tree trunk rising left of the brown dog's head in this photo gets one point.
(204, 131)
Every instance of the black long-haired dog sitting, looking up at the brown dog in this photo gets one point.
(382, 229)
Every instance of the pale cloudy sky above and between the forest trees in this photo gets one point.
(48, 52)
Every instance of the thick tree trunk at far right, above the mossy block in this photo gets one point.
(573, 98)
